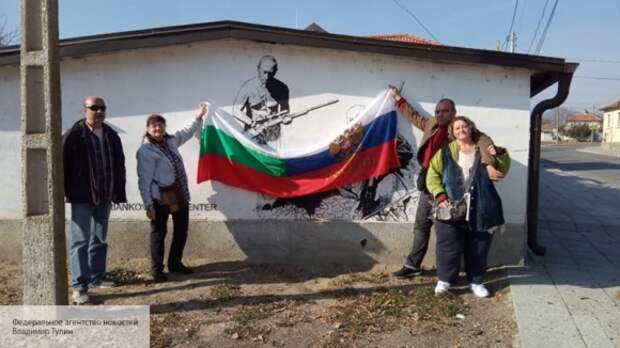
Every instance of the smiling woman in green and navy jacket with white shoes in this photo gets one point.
(452, 168)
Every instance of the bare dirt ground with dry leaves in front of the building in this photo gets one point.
(234, 304)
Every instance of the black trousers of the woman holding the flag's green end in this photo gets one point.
(180, 223)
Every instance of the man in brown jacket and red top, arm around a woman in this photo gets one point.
(435, 136)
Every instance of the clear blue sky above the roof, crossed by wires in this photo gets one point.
(587, 32)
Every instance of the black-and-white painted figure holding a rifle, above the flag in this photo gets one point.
(261, 97)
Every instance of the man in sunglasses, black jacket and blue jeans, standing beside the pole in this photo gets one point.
(94, 170)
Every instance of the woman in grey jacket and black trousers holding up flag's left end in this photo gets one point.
(162, 181)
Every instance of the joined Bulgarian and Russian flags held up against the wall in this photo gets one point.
(365, 149)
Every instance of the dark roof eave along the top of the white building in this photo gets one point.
(544, 69)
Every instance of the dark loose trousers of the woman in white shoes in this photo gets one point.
(455, 240)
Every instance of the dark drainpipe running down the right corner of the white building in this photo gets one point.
(564, 81)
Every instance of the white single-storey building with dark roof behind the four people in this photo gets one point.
(170, 70)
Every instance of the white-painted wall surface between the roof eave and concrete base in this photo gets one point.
(173, 80)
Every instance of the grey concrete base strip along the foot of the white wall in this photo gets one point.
(343, 245)
